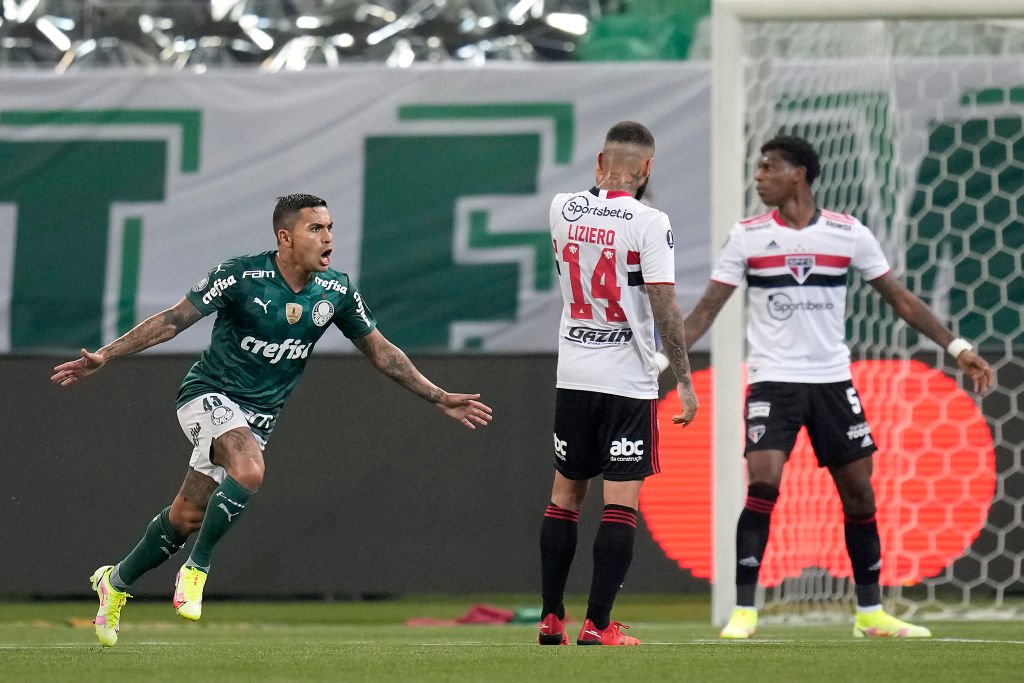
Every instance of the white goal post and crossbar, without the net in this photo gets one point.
(729, 183)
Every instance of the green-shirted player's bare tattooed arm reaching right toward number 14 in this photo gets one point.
(392, 361)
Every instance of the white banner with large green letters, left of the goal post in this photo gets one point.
(119, 191)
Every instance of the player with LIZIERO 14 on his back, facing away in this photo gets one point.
(617, 272)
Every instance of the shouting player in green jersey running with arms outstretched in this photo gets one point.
(272, 310)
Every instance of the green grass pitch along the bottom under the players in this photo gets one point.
(369, 642)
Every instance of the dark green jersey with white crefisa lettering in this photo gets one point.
(265, 332)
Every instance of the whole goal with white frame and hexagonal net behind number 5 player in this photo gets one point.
(917, 111)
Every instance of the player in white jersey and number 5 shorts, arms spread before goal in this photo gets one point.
(796, 261)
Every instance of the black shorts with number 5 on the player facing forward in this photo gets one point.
(833, 414)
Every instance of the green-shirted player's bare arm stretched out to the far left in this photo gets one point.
(154, 330)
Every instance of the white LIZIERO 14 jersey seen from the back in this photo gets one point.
(608, 246)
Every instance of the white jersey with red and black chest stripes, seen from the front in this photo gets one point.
(796, 288)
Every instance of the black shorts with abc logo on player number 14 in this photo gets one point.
(602, 434)
